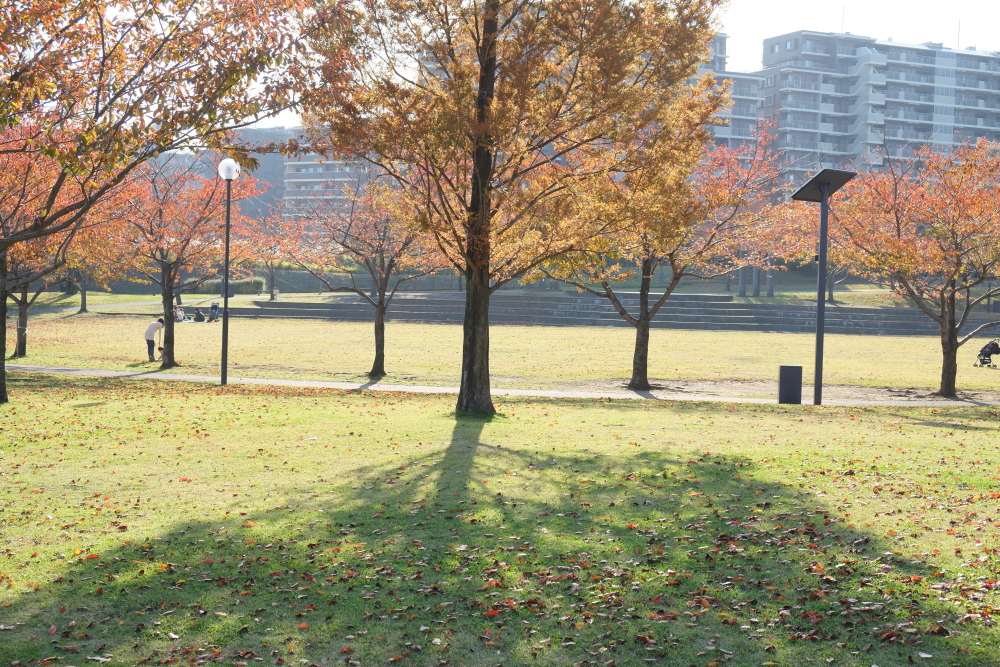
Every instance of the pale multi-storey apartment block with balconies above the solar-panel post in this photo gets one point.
(842, 99)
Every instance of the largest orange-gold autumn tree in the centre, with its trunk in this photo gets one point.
(493, 116)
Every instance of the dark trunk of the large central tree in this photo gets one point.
(474, 392)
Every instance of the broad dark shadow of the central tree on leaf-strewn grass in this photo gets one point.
(577, 558)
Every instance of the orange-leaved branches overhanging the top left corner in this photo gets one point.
(99, 87)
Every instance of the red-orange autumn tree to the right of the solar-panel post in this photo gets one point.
(926, 226)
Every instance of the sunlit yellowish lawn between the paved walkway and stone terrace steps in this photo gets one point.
(522, 357)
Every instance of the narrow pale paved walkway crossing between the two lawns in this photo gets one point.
(426, 389)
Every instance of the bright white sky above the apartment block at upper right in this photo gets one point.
(955, 23)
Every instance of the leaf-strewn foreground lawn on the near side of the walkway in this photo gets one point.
(150, 523)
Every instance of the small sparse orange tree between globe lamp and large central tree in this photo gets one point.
(365, 230)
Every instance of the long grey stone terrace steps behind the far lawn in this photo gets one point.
(682, 311)
